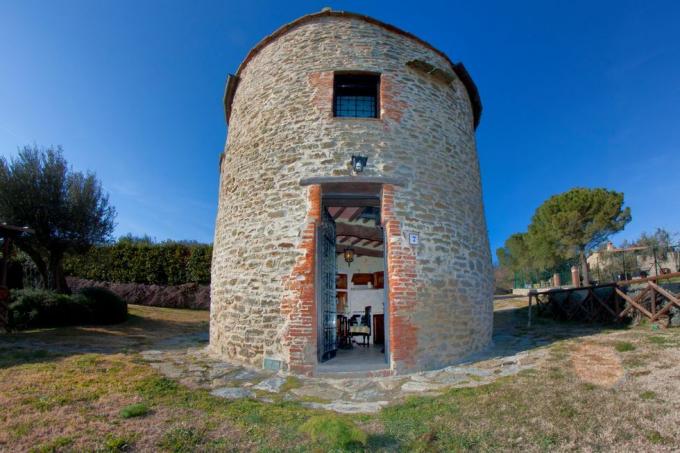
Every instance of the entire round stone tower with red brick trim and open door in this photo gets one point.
(350, 234)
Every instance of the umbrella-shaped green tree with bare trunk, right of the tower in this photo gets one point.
(577, 221)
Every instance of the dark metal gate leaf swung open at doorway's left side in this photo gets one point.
(326, 297)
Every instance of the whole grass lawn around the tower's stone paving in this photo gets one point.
(114, 401)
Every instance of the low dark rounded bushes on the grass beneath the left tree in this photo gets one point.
(32, 308)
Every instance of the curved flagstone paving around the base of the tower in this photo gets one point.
(190, 363)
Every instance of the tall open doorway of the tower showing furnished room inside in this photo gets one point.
(351, 288)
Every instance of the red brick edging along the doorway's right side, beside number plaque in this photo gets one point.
(401, 293)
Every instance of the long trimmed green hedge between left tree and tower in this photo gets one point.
(168, 263)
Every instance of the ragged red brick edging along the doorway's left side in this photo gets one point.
(299, 309)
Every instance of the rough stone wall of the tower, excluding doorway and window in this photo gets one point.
(282, 130)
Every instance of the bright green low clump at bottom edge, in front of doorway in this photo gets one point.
(334, 432)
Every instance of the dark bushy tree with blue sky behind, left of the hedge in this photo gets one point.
(68, 210)
